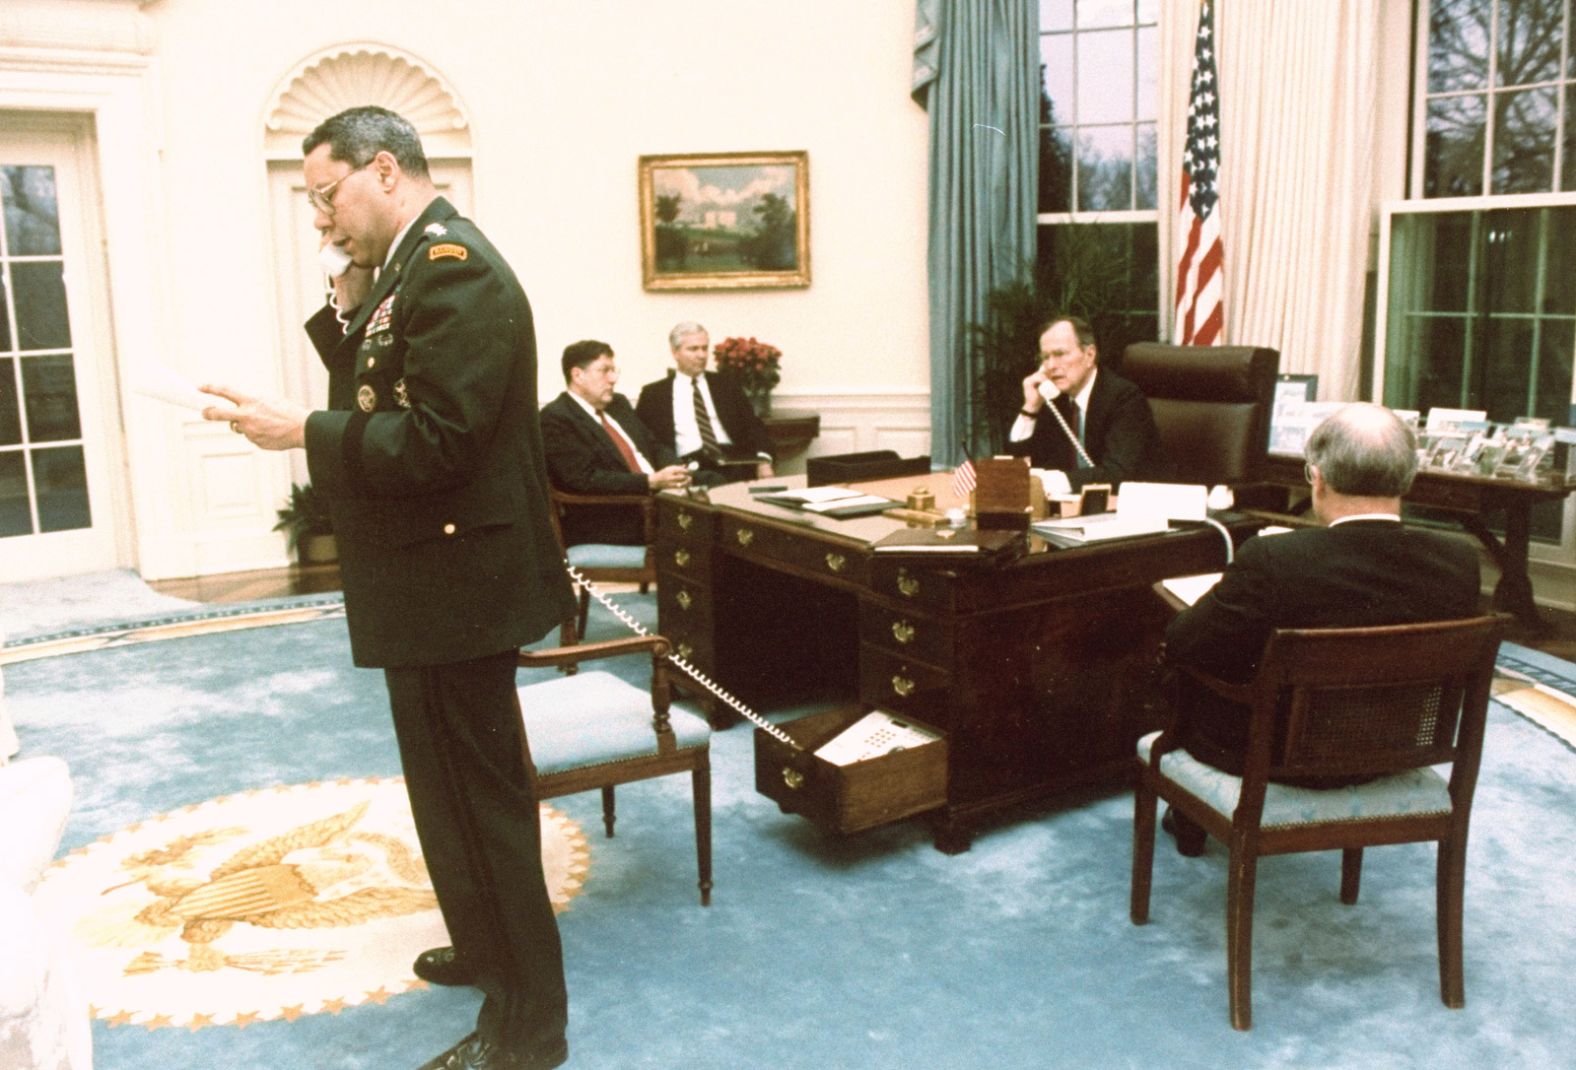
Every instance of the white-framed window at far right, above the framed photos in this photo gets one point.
(1479, 305)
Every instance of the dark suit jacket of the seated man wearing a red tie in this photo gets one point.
(582, 459)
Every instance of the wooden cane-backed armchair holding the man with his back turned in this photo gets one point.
(1340, 704)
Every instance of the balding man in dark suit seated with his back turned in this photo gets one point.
(1364, 568)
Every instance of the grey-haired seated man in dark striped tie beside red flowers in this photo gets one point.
(705, 417)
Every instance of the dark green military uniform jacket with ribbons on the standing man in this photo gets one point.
(433, 456)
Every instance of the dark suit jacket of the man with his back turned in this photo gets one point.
(1356, 574)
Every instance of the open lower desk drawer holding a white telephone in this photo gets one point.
(855, 797)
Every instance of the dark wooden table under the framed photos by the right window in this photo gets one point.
(1473, 500)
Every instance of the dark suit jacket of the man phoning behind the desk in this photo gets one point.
(1120, 436)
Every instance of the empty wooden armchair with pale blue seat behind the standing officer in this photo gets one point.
(595, 730)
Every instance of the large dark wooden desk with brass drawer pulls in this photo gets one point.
(1041, 671)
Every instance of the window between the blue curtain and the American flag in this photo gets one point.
(1099, 62)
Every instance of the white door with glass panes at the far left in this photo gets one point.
(58, 429)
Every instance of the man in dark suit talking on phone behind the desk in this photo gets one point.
(1106, 433)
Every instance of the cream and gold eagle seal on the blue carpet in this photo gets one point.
(266, 905)
